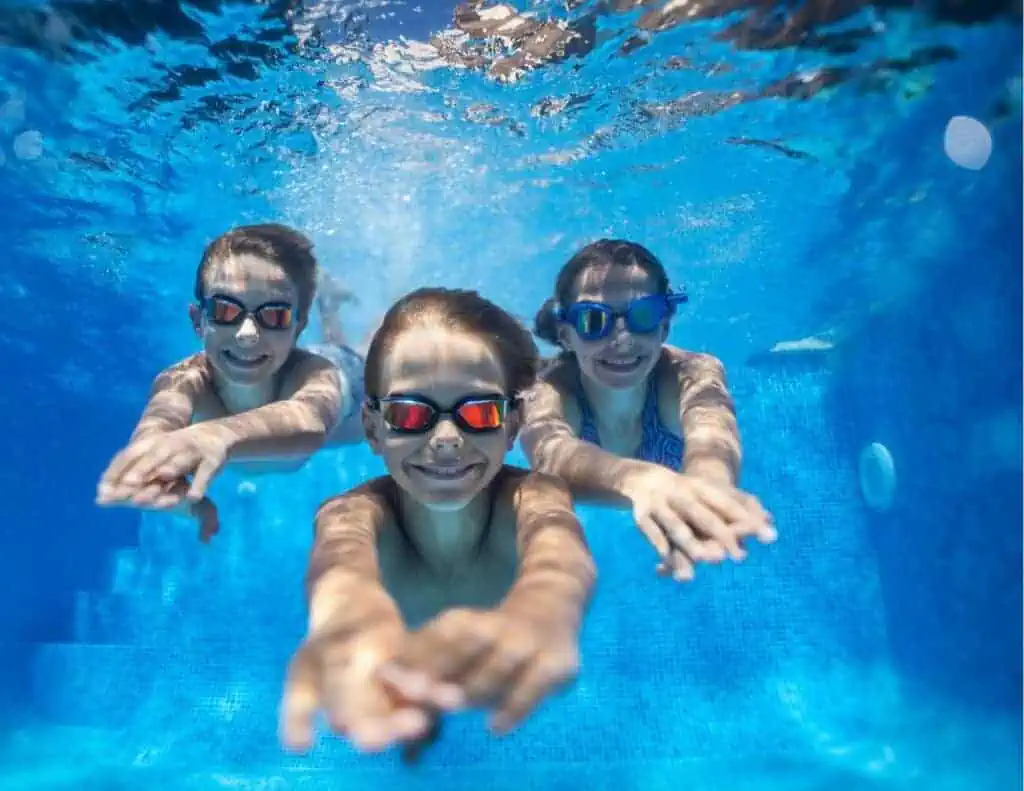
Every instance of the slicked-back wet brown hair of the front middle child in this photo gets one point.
(460, 311)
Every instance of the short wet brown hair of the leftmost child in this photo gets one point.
(280, 244)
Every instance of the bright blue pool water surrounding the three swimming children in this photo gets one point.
(862, 287)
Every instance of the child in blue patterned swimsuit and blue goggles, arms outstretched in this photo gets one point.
(622, 414)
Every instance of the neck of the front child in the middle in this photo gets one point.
(446, 540)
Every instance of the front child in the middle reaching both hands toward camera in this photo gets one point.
(454, 580)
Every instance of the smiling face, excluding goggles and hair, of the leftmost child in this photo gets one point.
(248, 353)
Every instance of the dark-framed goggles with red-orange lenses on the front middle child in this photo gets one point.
(417, 414)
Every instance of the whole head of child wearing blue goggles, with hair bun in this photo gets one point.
(611, 310)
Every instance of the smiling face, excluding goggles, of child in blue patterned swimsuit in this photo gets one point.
(622, 359)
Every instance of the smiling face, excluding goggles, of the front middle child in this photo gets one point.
(448, 466)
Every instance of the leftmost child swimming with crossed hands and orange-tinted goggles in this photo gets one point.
(251, 396)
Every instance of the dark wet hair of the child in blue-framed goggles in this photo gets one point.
(605, 253)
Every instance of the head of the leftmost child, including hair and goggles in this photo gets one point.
(253, 292)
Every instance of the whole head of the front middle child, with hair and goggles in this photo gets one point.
(444, 374)
